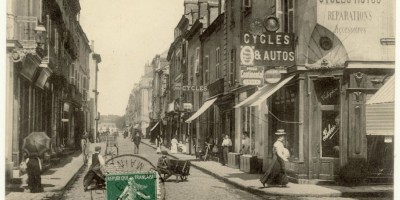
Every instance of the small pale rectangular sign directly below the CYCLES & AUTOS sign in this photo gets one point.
(251, 75)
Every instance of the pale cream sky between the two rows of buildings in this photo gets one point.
(127, 34)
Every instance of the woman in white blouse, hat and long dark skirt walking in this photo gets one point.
(276, 175)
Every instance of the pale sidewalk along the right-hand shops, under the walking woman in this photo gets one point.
(251, 183)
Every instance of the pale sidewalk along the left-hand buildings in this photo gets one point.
(55, 179)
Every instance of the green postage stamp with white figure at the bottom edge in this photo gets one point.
(136, 185)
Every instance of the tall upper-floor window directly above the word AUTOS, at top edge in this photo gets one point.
(285, 14)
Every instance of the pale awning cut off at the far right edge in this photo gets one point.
(380, 110)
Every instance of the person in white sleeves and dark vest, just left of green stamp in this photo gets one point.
(95, 165)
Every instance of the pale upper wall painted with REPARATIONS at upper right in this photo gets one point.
(361, 22)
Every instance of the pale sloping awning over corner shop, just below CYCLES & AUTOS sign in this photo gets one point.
(263, 93)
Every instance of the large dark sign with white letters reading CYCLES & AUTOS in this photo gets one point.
(267, 49)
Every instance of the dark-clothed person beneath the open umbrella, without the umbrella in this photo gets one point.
(34, 169)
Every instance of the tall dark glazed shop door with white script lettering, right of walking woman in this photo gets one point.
(326, 128)
